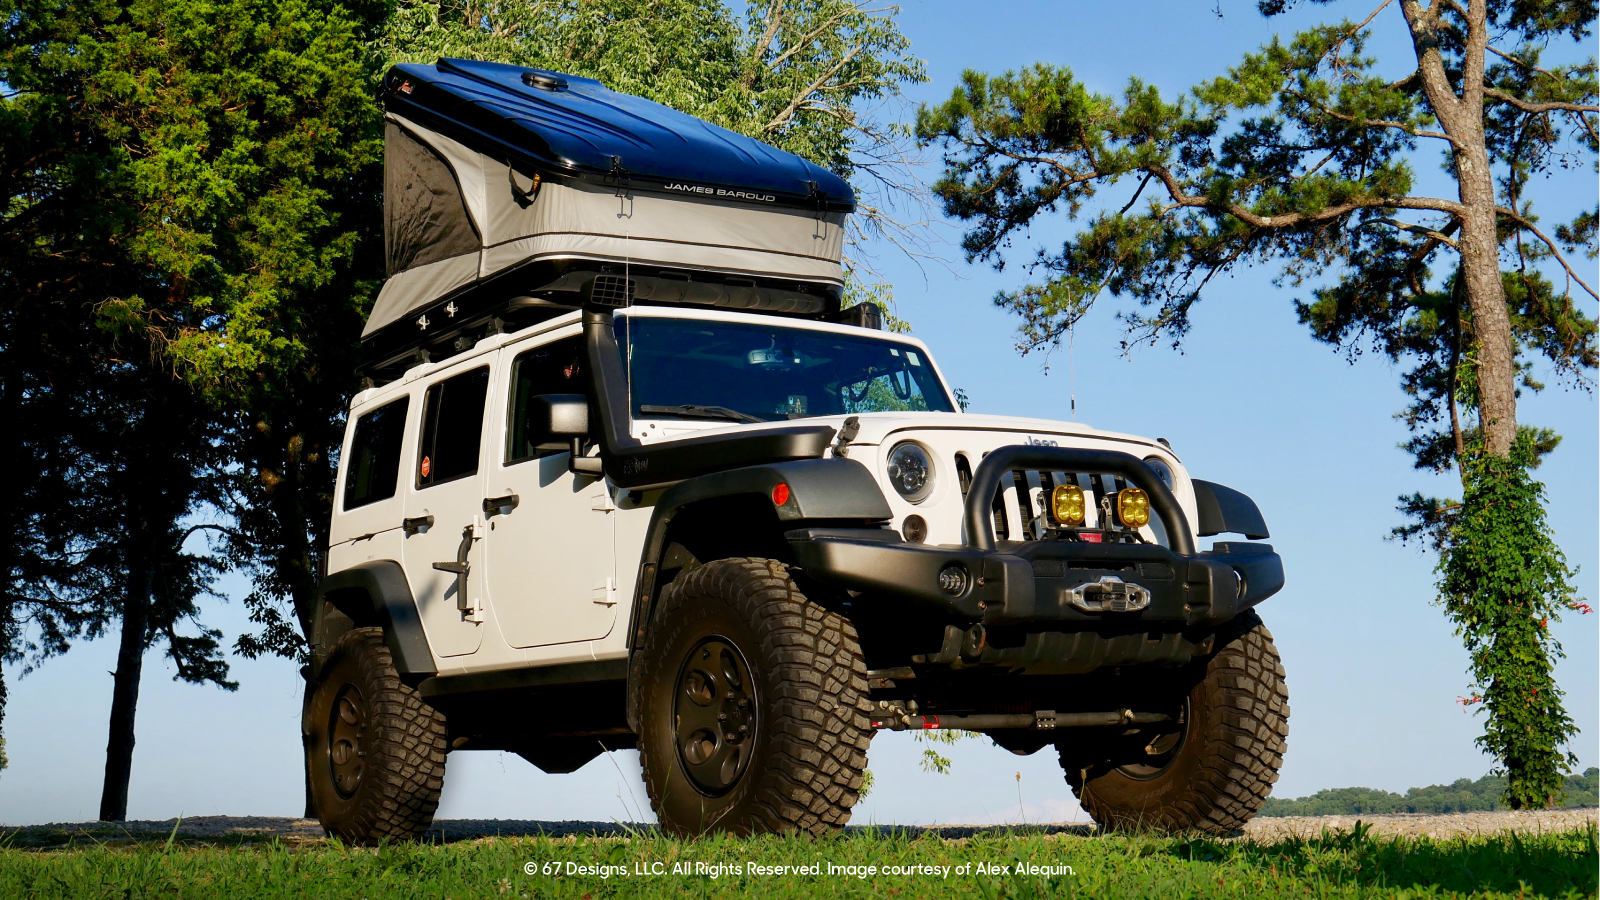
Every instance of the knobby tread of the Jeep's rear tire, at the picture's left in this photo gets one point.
(406, 755)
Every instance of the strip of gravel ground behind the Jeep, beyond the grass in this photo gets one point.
(254, 829)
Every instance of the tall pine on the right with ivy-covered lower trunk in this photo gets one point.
(1302, 156)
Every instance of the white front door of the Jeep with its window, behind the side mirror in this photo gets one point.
(551, 552)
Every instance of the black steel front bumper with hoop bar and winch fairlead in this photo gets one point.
(1046, 593)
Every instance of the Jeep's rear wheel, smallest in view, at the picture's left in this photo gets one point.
(374, 749)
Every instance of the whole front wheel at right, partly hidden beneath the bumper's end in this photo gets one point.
(1217, 768)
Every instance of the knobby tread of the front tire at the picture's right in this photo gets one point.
(1244, 739)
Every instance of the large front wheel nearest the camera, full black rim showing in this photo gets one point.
(753, 705)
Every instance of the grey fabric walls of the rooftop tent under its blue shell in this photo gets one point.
(487, 222)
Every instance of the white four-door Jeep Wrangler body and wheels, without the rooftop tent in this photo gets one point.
(778, 537)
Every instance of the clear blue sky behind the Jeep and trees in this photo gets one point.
(1252, 403)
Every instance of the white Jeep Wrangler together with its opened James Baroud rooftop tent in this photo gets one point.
(630, 476)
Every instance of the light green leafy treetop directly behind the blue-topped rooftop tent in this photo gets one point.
(806, 76)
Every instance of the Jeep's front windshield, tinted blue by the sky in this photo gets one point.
(737, 372)
